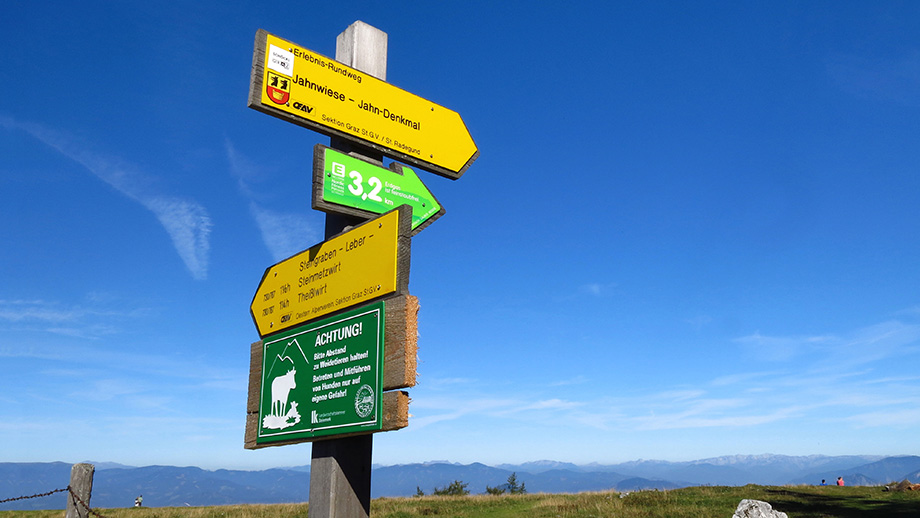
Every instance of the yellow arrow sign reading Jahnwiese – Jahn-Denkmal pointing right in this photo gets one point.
(309, 89)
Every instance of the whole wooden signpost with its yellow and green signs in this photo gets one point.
(339, 328)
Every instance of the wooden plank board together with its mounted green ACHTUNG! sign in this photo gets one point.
(277, 415)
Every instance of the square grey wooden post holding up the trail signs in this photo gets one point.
(340, 469)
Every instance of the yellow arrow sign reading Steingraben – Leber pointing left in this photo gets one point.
(351, 268)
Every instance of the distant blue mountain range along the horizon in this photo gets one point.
(116, 485)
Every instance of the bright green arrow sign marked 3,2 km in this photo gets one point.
(349, 185)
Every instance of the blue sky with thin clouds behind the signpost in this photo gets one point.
(692, 230)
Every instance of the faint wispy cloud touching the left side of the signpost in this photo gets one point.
(284, 233)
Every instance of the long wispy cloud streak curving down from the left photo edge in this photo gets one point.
(187, 223)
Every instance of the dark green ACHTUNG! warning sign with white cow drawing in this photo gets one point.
(323, 378)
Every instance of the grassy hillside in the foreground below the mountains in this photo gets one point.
(796, 501)
